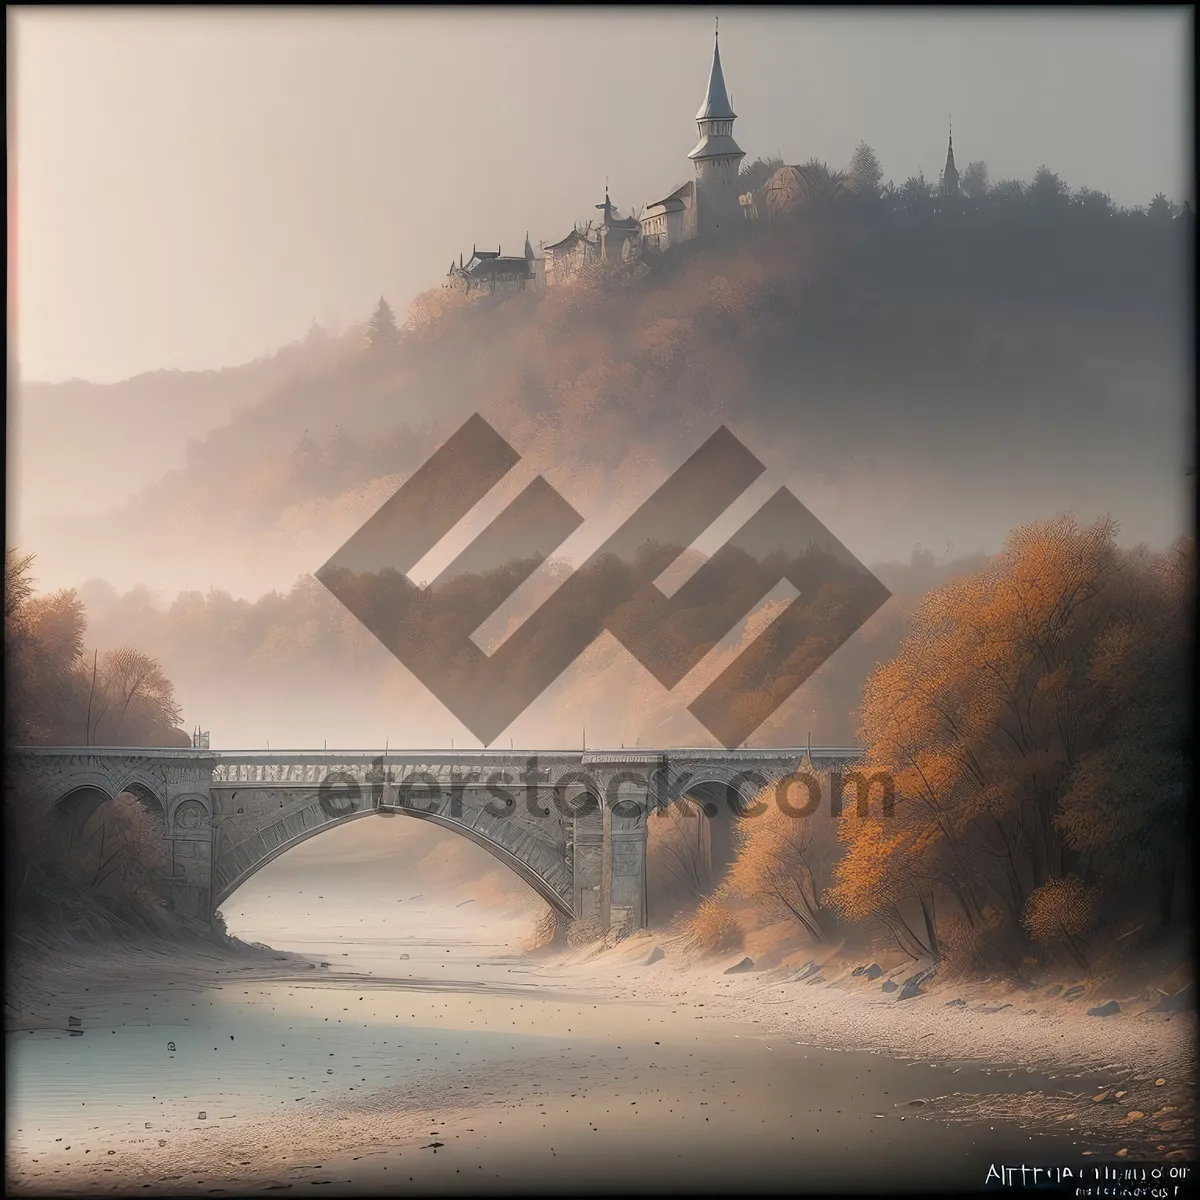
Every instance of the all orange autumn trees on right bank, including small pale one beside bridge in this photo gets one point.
(1034, 724)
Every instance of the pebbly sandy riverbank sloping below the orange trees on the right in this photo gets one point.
(1147, 1048)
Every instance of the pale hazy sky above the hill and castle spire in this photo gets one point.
(194, 189)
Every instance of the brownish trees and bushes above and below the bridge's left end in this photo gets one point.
(80, 872)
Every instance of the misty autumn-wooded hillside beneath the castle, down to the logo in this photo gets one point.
(929, 376)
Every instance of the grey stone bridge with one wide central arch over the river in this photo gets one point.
(573, 825)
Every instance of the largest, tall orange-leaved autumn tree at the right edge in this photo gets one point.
(1033, 724)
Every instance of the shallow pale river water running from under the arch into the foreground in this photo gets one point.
(526, 1082)
